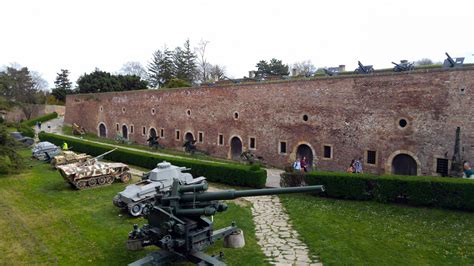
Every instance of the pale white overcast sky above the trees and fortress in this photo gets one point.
(47, 36)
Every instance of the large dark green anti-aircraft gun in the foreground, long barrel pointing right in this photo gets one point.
(178, 223)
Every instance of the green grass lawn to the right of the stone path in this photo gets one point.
(368, 233)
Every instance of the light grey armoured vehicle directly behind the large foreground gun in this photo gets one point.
(158, 181)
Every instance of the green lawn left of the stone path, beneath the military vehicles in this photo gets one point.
(44, 221)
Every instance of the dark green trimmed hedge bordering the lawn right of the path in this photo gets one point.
(442, 192)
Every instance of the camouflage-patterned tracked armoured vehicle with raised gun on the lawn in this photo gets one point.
(93, 173)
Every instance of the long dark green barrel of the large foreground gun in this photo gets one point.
(233, 194)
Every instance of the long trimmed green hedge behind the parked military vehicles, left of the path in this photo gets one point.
(226, 173)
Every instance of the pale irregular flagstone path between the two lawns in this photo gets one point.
(275, 235)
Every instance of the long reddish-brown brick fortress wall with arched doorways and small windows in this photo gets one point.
(349, 114)
